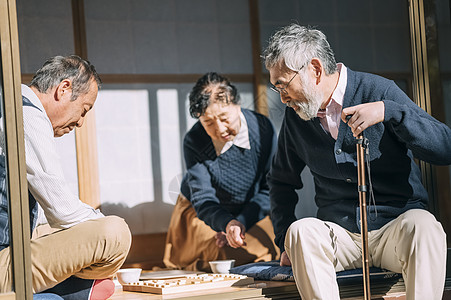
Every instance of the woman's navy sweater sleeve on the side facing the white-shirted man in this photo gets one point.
(202, 194)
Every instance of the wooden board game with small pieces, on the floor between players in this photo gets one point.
(189, 283)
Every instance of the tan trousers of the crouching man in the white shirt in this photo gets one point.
(93, 249)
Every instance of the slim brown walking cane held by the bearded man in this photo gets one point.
(362, 145)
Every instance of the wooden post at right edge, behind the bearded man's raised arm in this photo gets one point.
(427, 91)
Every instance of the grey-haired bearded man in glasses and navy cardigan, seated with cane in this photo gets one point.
(403, 236)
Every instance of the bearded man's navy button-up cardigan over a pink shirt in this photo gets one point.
(407, 131)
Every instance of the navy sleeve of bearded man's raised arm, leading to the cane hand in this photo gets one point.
(429, 139)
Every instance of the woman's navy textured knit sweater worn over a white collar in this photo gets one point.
(232, 185)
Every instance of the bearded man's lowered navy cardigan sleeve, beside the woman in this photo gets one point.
(284, 179)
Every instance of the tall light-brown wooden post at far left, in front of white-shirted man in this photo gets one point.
(20, 252)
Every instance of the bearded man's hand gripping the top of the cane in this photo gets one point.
(364, 116)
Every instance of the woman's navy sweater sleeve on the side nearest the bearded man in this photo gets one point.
(258, 207)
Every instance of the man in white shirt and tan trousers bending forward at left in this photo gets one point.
(90, 246)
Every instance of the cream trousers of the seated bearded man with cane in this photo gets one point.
(413, 244)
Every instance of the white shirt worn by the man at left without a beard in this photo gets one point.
(45, 176)
